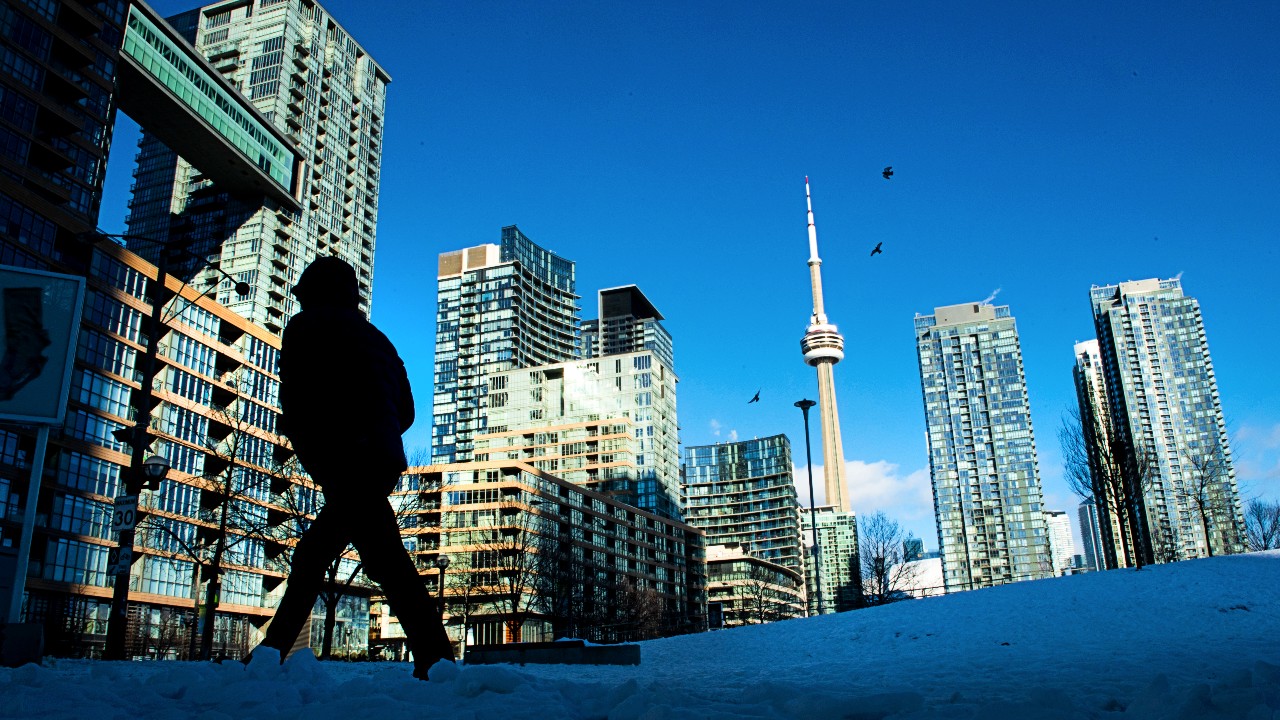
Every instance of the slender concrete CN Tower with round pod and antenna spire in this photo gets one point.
(824, 347)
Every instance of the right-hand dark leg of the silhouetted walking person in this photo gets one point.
(388, 564)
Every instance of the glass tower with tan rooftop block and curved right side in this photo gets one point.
(500, 308)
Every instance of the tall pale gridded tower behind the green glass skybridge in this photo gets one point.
(309, 78)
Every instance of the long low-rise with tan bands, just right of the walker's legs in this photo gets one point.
(533, 558)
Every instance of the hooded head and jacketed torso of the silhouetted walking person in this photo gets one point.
(345, 397)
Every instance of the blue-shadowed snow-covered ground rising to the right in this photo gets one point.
(1197, 640)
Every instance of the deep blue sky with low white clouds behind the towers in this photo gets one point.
(1037, 151)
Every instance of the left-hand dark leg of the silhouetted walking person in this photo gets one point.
(328, 536)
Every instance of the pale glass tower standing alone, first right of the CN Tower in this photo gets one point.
(982, 452)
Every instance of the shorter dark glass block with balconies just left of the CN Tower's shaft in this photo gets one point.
(744, 493)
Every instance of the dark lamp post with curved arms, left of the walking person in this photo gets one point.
(144, 473)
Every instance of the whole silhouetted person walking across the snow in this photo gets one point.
(345, 402)
